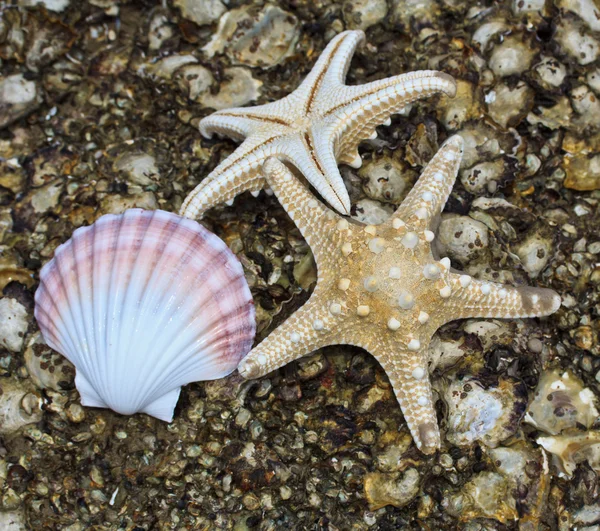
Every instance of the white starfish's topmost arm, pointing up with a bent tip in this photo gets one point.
(331, 67)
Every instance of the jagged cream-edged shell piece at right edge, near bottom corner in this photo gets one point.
(570, 449)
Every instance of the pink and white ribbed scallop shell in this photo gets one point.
(143, 303)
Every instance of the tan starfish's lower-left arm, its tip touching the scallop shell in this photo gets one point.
(305, 331)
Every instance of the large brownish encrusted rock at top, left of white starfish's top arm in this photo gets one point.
(255, 37)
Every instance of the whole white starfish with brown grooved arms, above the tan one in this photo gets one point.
(316, 127)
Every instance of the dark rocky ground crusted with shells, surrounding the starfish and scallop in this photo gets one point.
(99, 106)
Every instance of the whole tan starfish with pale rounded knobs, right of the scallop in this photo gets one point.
(380, 288)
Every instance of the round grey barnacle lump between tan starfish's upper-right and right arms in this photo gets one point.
(461, 238)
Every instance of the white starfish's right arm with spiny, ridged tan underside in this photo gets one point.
(360, 109)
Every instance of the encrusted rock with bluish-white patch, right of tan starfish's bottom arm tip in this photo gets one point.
(483, 411)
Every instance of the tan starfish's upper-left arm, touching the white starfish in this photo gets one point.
(315, 221)
